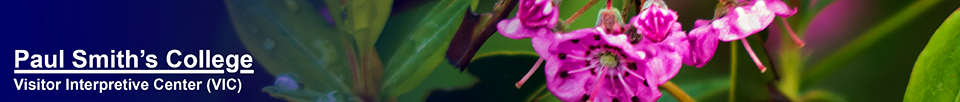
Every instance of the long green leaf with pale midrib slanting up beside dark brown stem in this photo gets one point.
(423, 49)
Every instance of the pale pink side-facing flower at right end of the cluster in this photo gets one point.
(738, 23)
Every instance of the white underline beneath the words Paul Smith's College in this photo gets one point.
(203, 71)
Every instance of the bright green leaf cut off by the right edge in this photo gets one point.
(934, 77)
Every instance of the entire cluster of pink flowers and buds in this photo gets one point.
(627, 62)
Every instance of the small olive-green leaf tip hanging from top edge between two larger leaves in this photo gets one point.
(364, 19)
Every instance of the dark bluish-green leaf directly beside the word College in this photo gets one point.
(289, 37)
